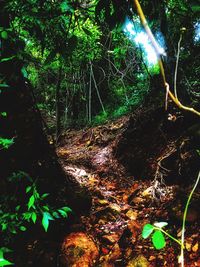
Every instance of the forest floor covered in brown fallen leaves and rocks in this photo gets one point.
(108, 231)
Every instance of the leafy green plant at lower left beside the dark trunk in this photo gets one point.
(17, 212)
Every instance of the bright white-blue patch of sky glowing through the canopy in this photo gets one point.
(141, 39)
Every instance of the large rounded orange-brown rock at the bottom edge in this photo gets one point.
(78, 250)
